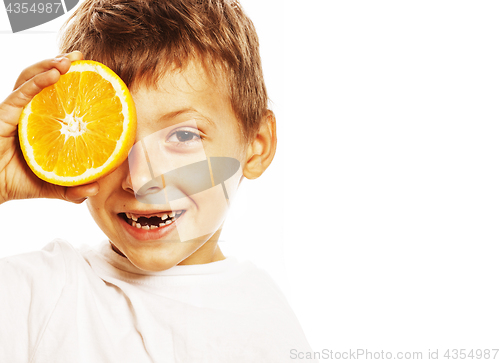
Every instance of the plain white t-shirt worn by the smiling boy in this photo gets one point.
(92, 305)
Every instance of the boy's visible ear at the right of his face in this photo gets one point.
(261, 150)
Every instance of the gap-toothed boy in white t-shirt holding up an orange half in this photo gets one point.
(153, 292)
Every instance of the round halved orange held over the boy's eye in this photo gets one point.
(79, 129)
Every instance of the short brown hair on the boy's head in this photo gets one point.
(143, 39)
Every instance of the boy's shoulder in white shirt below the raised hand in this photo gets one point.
(31, 287)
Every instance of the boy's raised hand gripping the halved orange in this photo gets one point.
(17, 181)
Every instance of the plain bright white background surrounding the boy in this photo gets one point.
(379, 216)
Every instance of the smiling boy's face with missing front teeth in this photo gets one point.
(184, 122)
